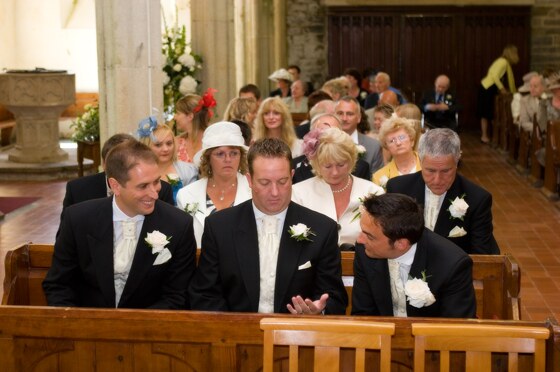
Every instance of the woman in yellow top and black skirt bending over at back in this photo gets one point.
(491, 84)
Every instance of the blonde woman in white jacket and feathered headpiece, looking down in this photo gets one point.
(334, 191)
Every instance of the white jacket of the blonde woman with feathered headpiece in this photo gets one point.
(316, 194)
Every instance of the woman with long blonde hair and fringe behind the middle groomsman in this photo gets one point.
(275, 121)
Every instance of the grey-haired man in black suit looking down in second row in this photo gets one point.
(454, 207)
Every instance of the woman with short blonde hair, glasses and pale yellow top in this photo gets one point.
(397, 136)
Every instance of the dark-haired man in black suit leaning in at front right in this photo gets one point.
(403, 269)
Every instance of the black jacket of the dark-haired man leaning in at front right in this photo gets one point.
(449, 277)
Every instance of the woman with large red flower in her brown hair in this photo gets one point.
(192, 116)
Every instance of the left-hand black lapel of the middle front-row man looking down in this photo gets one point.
(246, 245)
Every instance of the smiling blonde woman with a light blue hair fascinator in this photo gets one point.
(159, 137)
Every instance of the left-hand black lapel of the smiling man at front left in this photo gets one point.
(100, 246)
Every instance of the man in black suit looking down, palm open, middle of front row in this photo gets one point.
(252, 260)
